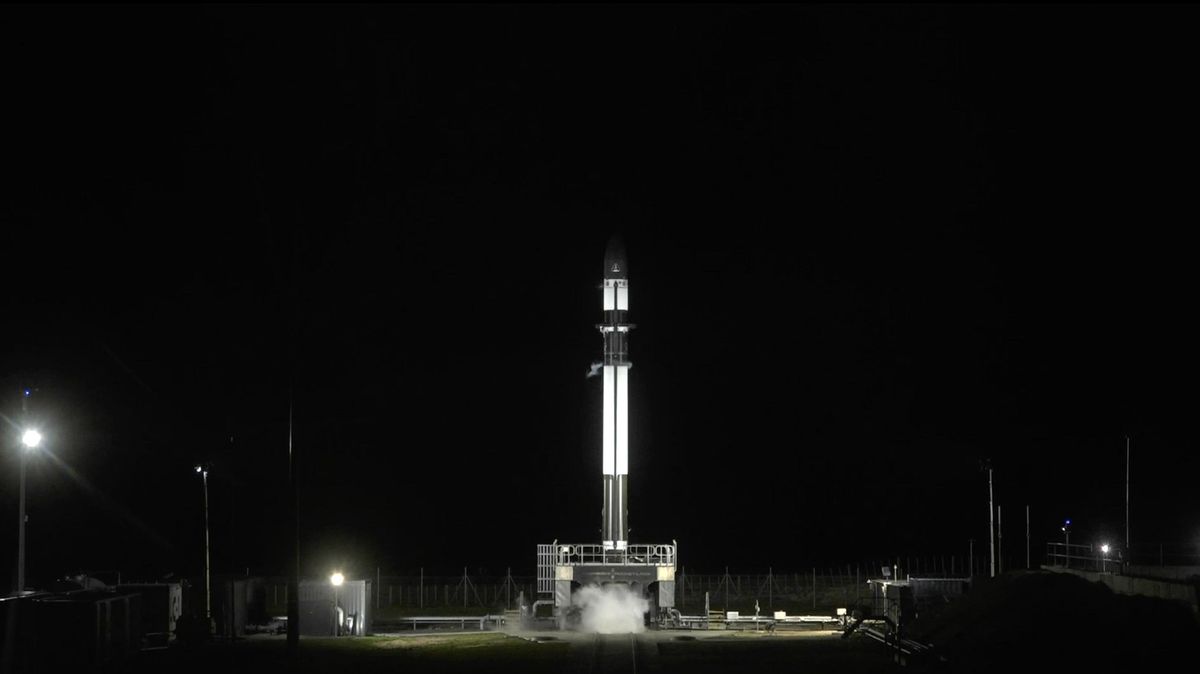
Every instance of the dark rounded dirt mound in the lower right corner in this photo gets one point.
(1058, 621)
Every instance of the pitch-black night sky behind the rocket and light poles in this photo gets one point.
(869, 248)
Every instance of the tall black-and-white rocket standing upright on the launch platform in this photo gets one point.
(615, 437)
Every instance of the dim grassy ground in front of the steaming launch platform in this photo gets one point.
(651, 653)
